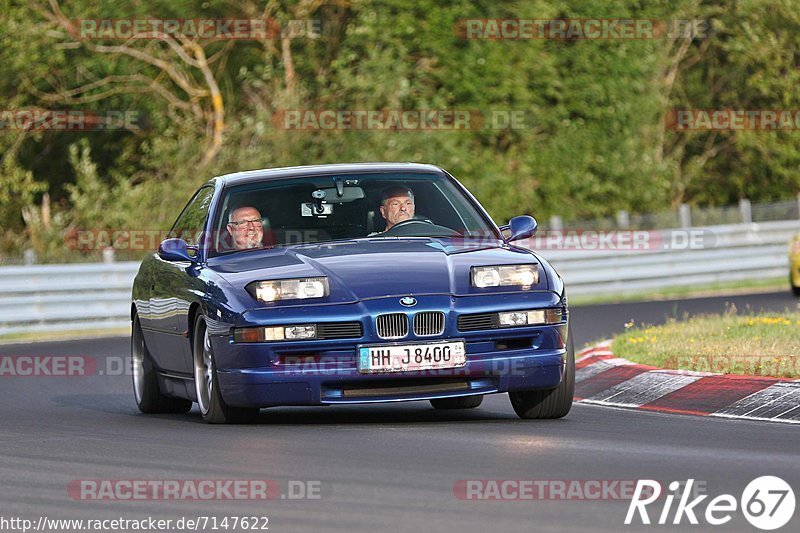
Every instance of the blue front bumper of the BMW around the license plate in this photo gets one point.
(324, 372)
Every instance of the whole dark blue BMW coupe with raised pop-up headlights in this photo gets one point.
(342, 284)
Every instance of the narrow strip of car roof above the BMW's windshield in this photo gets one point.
(266, 174)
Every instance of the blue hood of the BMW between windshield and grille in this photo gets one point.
(374, 268)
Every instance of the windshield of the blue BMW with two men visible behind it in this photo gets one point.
(350, 206)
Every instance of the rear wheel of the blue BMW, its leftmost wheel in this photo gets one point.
(146, 392)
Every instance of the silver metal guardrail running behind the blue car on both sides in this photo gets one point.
(97, 296)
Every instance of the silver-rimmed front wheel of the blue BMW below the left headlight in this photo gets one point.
(209, 399)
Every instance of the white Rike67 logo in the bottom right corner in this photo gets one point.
(767, 502)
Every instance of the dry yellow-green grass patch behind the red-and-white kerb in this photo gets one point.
(755, 345)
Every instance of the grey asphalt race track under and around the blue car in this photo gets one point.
(377, 468)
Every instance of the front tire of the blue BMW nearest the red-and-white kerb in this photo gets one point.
(553, 403)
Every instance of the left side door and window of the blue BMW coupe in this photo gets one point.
(174, 287)
